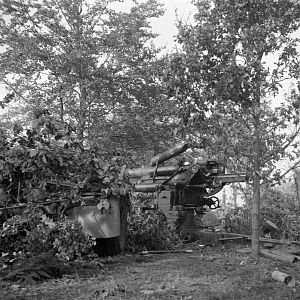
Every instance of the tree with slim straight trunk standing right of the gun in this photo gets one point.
(224, 87)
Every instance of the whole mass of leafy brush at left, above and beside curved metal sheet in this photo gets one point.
(42, 170)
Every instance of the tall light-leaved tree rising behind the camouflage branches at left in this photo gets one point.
(87, 65)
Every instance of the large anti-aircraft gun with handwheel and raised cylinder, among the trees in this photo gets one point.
(185, 187)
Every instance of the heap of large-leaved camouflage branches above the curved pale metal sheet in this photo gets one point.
(48, 161)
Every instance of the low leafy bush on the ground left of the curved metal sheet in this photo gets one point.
(37, 233)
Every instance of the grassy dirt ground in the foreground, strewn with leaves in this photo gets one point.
(222, 272)
